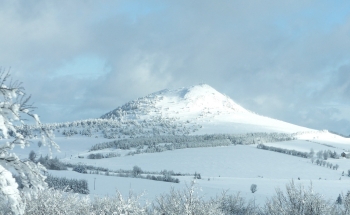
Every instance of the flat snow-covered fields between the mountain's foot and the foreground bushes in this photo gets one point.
(232, 168)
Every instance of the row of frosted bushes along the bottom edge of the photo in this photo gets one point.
(296, 200)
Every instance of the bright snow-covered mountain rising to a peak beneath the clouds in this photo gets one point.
(199, 105)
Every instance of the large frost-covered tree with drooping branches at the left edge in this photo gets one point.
(14, 109)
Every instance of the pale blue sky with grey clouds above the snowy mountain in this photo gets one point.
(288, 59)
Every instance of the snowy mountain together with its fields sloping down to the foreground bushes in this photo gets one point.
(197, 129)
